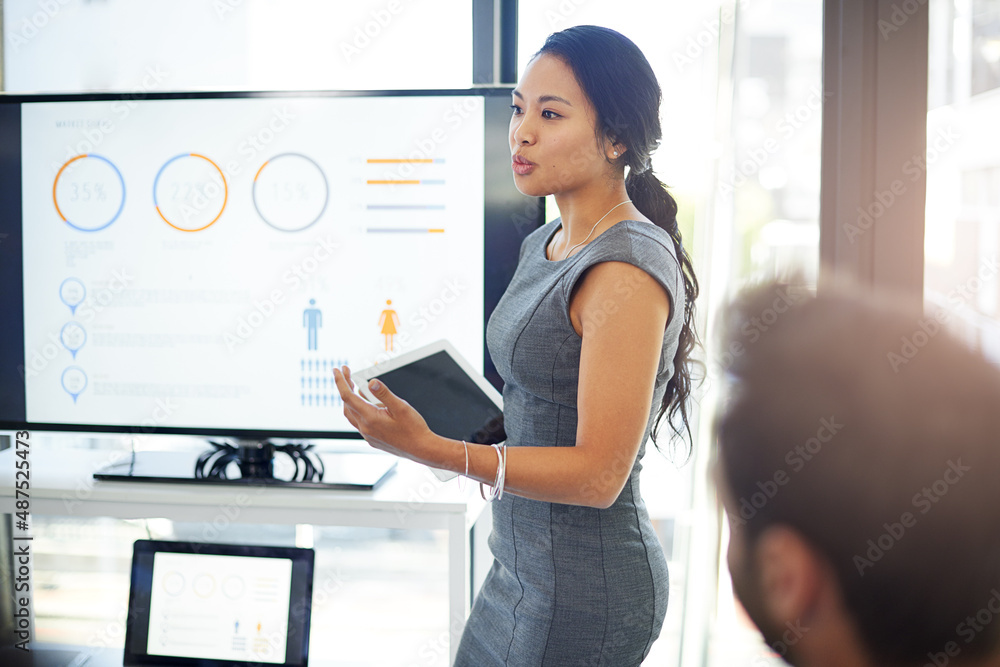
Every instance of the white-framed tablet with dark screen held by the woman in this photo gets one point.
(454, 400)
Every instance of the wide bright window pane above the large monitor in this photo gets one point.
(235, 45)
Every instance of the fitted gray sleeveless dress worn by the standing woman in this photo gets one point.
(570, 585)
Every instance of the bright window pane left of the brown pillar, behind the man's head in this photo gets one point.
(768, 202)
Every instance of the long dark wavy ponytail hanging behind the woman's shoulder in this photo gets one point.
(650, 196)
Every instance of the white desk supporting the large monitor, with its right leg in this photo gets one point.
(411, 497)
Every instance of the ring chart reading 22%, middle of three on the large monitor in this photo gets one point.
(190, 192)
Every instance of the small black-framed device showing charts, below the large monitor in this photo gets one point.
(199, 605)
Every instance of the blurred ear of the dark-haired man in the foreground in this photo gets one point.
(791, 574)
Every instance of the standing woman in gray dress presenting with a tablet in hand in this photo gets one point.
(592, 339)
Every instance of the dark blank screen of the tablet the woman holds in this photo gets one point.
(447, 398)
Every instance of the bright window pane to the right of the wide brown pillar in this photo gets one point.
(962, 236)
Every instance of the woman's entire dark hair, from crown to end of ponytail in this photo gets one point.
(624, 92)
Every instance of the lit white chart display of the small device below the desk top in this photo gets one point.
(219, 607)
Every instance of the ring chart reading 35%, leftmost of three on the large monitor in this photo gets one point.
(88, 192)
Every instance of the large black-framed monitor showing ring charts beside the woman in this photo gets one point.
(198, 262)
